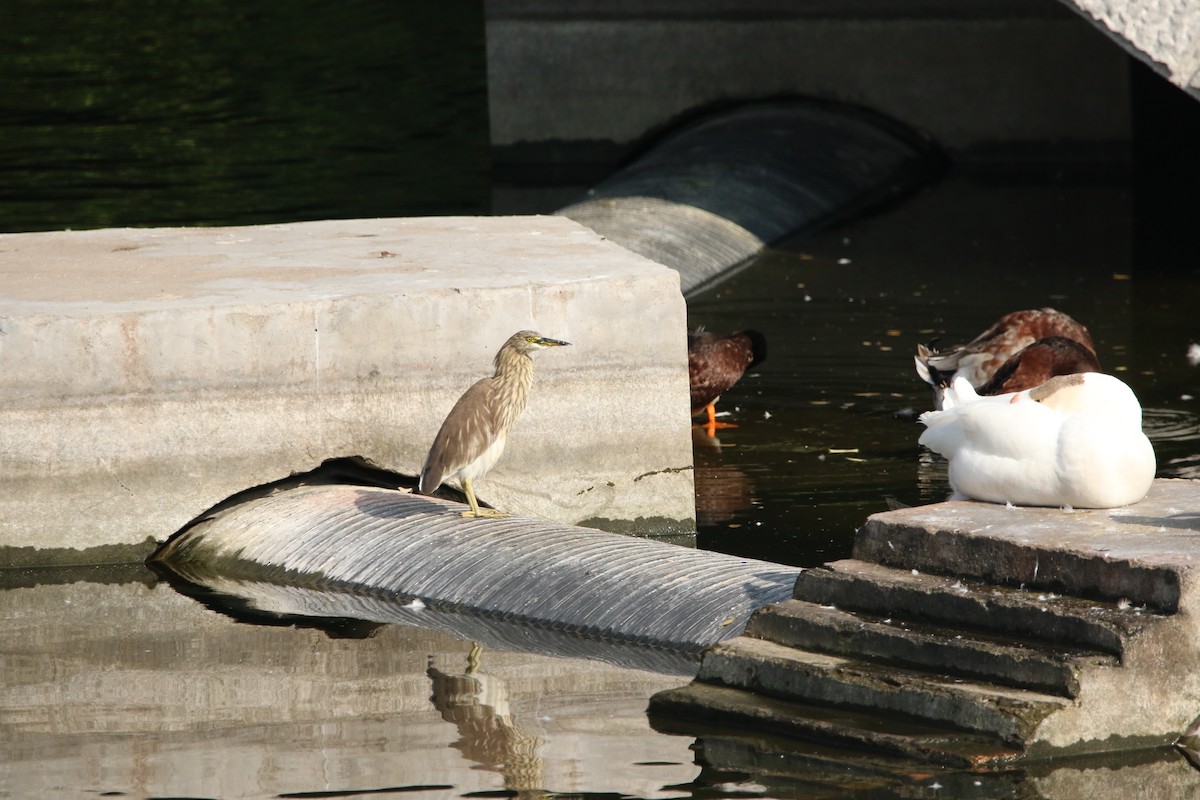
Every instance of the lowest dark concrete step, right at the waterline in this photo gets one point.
(698, 708)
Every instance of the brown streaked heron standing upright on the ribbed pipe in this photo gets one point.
(472, 438)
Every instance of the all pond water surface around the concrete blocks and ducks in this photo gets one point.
(112, 684)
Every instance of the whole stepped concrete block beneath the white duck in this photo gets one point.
(1052, 630)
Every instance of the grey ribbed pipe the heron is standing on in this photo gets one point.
(406, 546)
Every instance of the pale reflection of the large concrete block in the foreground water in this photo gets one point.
(143, 690)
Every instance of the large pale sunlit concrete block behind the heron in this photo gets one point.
(151, 374)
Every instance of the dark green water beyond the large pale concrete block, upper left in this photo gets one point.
(145, 113)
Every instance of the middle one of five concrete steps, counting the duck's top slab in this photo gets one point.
(999, 660)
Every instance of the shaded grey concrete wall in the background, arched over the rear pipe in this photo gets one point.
(968, 75)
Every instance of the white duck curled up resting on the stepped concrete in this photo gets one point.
(1075, 441)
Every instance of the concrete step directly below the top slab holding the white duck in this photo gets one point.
(953, 603)
